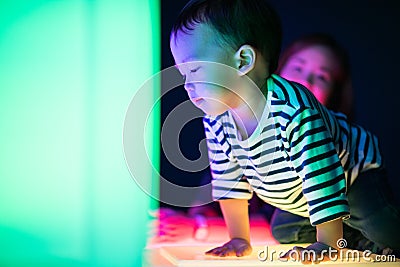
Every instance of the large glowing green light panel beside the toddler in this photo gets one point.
(68, 71)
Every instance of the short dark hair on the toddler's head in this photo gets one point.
(237, 22)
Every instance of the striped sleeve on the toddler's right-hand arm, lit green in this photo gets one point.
(315, 159)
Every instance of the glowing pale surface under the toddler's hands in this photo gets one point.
(189, 252)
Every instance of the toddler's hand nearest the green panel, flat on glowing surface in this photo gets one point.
(236, 247)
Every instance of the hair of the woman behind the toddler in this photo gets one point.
(341, 97)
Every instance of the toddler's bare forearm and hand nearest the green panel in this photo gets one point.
(236, 217)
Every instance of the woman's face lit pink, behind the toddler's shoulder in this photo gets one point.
(315, 68)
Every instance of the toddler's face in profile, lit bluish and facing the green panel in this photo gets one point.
(210, 79)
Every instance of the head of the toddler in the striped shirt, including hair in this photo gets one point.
(221, 45)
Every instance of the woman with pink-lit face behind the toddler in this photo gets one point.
(319, 63)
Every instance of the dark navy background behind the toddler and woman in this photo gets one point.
(367, 29)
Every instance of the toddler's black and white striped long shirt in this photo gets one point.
(300, 158)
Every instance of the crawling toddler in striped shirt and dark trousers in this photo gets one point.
(271, 136)
